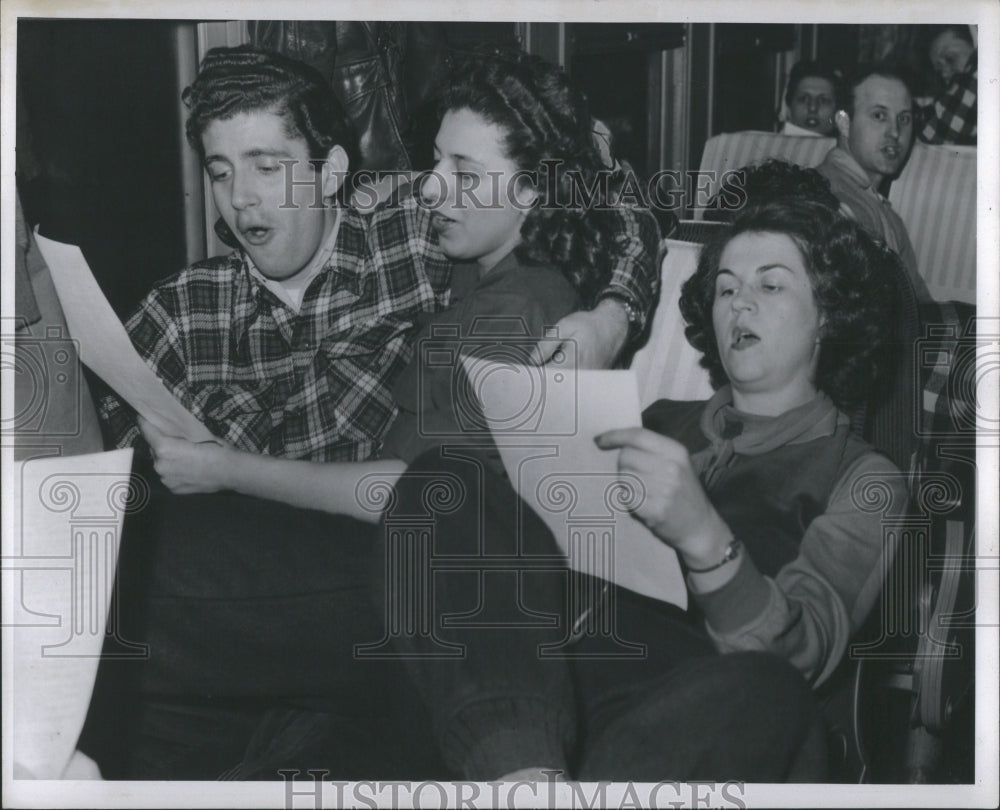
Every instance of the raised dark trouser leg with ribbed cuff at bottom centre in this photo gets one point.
(491, 583)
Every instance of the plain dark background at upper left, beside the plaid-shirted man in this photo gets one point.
(99, 159)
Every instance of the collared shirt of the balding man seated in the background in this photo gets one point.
(853, 187)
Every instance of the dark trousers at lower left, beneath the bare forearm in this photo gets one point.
(251, 611)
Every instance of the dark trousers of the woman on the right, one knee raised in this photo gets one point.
(634, 691)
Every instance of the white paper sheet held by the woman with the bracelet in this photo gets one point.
(544, 420)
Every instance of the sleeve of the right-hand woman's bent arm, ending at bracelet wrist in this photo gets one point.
(808, 613)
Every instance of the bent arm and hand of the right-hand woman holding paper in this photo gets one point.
(809, 611)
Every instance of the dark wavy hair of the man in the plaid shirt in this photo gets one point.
(245, 79)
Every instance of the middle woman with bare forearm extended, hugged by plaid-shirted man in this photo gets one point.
(515, 153)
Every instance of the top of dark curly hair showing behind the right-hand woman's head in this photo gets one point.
(763, 182)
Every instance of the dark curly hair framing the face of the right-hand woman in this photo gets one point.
(853, 279)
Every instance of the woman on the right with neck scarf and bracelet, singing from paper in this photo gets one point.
(764, 492)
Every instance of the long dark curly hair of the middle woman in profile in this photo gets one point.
(548, 135)
